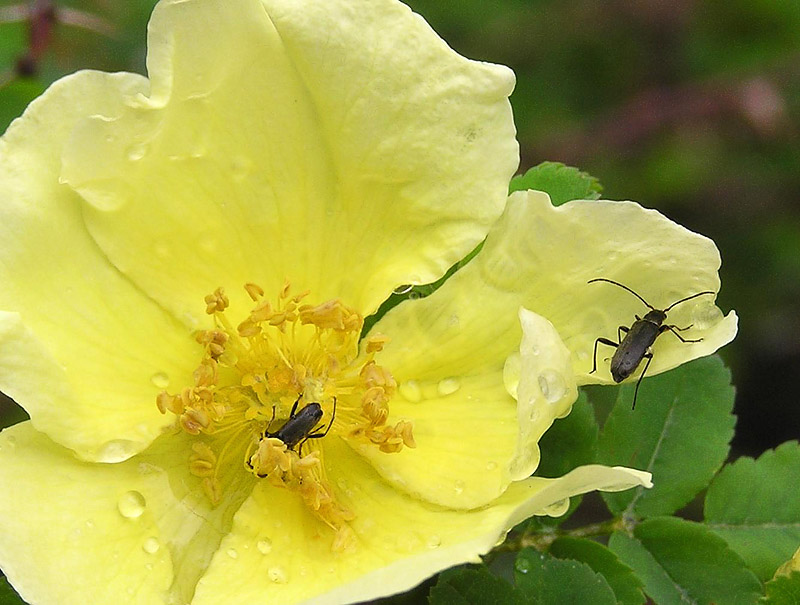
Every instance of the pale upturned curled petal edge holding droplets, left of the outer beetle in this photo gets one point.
(546, 391)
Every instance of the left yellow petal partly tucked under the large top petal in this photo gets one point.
(81, 348)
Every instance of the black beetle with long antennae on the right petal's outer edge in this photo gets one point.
(635, 345)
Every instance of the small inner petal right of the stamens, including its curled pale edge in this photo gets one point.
(472, 438)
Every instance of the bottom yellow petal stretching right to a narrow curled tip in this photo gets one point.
(401, 541)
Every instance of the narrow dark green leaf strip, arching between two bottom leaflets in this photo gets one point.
(626, 586)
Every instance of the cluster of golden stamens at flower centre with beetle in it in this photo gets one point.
(268, 392)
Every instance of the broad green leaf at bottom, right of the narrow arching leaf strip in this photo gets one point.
(681, 561)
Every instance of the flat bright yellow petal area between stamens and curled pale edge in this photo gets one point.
(466, 432)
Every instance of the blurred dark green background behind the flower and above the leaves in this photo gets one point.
(690, 106)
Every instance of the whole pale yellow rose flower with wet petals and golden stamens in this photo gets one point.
(187, 262)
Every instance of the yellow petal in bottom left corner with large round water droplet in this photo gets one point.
(76, 532)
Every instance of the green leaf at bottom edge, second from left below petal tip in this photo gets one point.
(544, 580)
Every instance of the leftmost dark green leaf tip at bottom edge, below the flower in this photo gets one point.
(467, 586)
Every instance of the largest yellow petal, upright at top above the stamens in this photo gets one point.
(340, 144)
